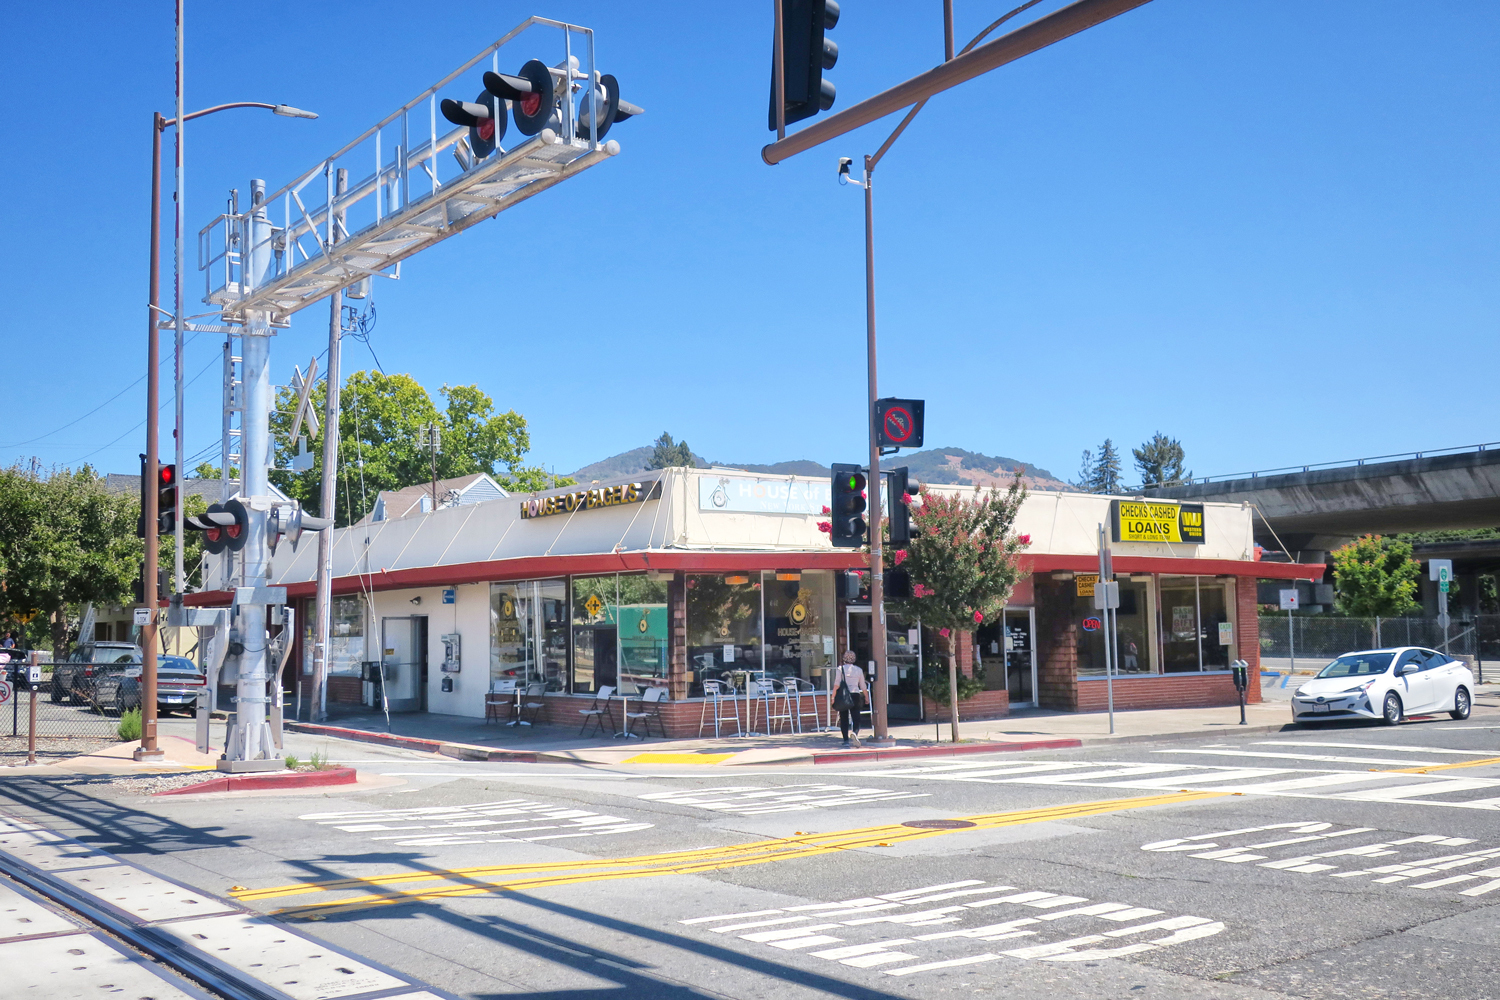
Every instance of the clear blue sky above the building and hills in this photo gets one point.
(1264, 227)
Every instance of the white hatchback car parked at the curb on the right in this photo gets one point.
(1387, 684)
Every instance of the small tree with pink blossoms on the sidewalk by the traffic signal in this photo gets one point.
(964, 564)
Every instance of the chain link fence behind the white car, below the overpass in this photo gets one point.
(1321, 638)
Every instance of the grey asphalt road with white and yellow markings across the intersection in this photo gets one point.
(1349, 861)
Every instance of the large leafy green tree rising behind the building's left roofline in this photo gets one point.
(382, 448)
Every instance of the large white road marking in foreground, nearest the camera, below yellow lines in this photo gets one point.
(970, 918)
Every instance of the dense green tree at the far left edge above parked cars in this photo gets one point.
(64, 540)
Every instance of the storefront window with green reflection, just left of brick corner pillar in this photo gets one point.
(620, 632)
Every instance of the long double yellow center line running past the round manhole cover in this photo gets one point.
(388, 890)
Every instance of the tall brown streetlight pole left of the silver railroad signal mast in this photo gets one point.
(149, 491)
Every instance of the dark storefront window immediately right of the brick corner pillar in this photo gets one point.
(724, 629)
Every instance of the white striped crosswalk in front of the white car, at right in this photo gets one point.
(1411, 776)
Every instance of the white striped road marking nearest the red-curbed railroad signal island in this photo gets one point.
(512, 821)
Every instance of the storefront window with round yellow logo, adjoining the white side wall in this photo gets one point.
(529, 633)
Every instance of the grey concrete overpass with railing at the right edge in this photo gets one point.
(1319, 507)
